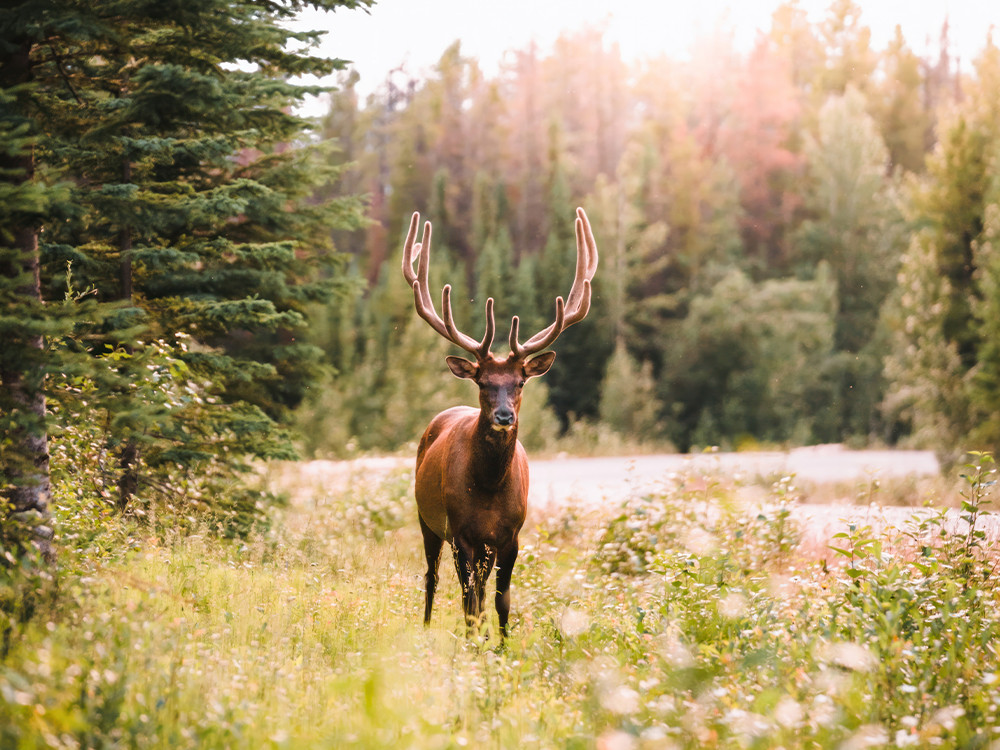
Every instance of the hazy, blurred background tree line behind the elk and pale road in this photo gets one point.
(797, 242)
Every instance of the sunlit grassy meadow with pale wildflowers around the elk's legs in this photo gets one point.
(677, 618)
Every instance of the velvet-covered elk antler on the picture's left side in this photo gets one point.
(422, 297)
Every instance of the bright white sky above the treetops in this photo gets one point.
(416, 32)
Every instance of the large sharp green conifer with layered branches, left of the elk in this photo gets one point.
(190, 211)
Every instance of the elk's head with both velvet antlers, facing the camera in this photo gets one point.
(500, 380)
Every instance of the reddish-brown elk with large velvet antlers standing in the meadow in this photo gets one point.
(472, 472)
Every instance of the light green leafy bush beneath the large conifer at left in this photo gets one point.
(191, 468)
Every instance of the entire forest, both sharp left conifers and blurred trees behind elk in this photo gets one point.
(796, 242)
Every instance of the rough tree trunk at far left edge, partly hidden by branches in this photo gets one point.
(22, 374)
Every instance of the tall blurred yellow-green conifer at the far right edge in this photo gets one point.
(940, 318)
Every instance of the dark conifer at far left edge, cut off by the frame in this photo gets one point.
(27, 199)
